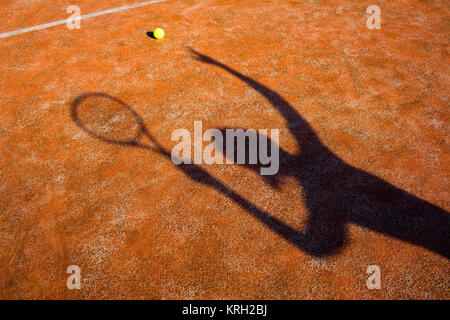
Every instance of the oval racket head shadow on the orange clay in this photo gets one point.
(108, 119)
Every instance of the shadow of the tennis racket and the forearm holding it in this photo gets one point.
(109, 119)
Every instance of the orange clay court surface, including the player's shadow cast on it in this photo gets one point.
(373, 106)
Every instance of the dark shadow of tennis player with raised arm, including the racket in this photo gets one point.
(336, 193)
